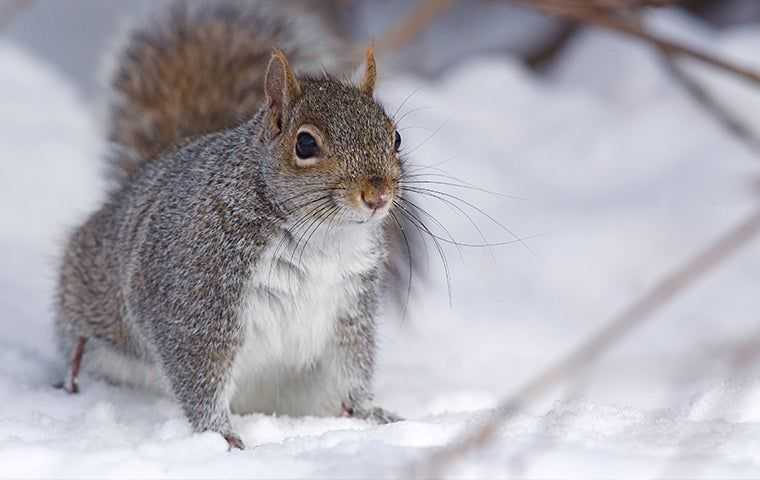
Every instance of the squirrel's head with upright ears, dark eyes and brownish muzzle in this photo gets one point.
(337, 151)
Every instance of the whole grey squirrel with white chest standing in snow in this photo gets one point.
(238, 261)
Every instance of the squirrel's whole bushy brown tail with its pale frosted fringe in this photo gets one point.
(199, 68)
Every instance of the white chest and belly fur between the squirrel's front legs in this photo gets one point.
(290, 307)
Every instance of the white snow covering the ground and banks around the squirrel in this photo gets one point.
(617, 177)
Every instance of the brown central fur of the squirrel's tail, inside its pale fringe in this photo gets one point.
(195, 76)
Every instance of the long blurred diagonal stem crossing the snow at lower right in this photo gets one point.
(637, 313)
